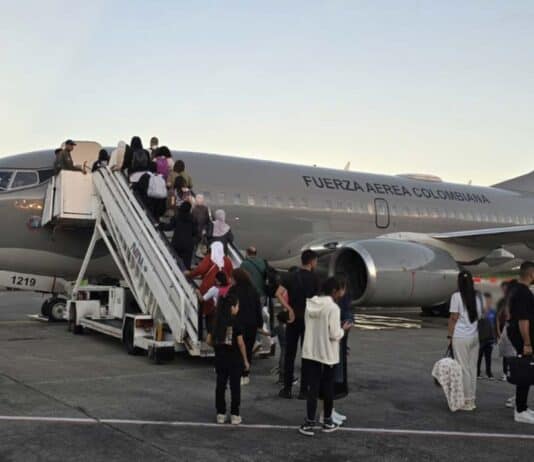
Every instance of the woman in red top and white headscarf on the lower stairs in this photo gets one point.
(215, 261)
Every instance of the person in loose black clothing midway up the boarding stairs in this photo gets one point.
(185, 233)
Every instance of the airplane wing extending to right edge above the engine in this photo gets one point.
(490, 237)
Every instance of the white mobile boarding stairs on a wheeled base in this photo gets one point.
(163, 316)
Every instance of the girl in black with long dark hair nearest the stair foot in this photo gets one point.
(230, 357)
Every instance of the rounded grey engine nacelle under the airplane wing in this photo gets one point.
(389, 272)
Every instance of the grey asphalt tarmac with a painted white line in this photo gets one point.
(66, 397)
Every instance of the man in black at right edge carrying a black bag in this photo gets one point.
(520, 332)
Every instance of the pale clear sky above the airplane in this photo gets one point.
(414, 86)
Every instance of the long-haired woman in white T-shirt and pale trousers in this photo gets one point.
(465, 311)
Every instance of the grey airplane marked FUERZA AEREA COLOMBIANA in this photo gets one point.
(400, 240)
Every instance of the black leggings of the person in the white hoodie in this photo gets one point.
(320, 380)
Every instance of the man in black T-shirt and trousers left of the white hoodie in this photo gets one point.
(303, 284)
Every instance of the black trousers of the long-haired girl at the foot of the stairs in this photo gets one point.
(228, 368)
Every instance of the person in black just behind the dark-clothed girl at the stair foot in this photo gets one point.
(250, 316)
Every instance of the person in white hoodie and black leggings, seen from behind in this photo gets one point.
(320, 353)
